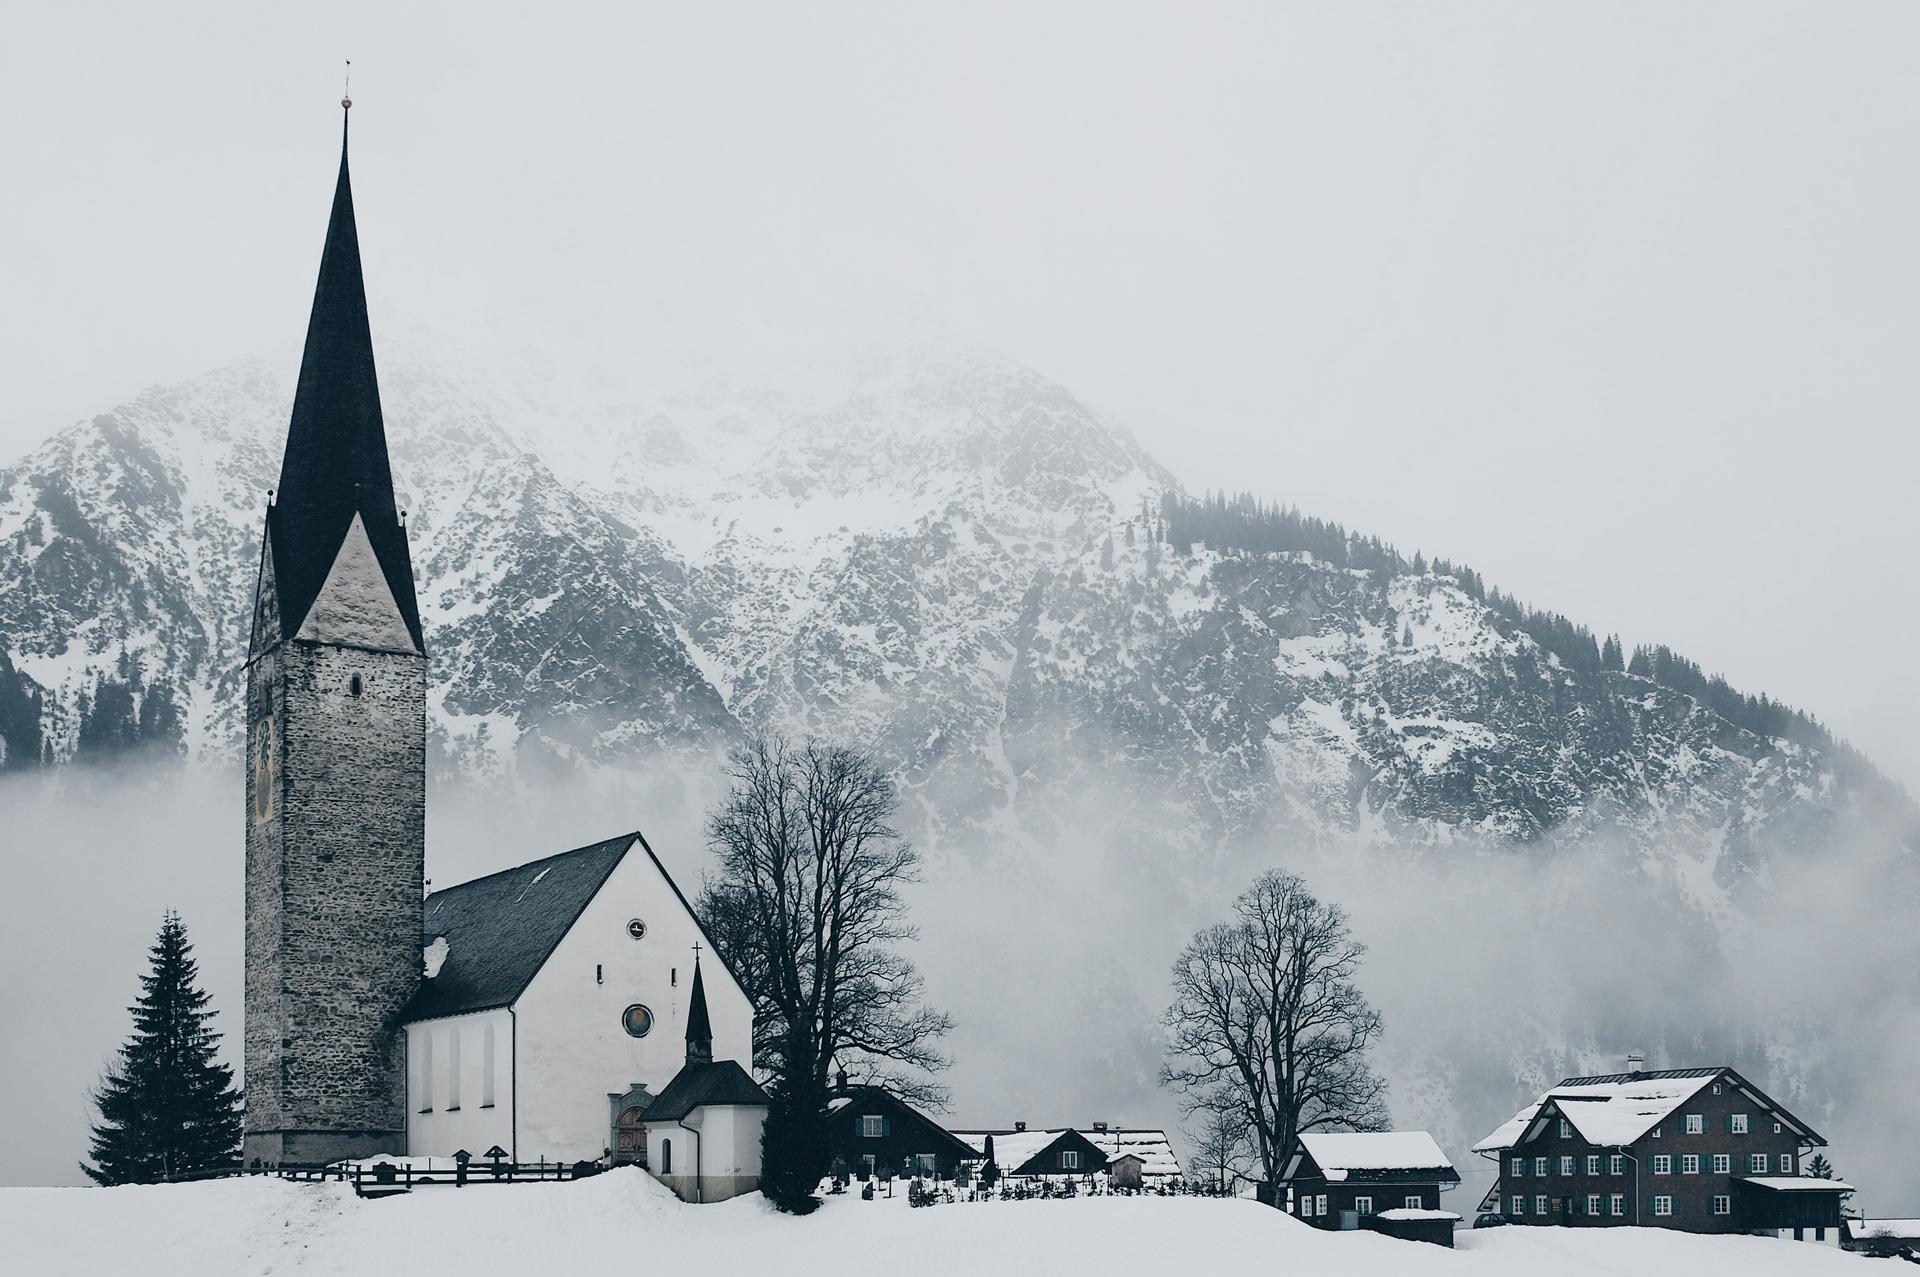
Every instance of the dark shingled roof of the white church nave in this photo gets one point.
(502, 928)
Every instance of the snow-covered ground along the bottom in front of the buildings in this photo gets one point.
(625, 1222)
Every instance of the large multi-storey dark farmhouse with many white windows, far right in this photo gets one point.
(1694, 1149)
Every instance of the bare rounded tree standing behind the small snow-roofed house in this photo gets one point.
(1268, 1024)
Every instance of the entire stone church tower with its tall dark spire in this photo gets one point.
(337, 758)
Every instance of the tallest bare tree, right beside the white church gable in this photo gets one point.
(807, 909)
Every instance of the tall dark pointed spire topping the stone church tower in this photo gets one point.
(337, 464)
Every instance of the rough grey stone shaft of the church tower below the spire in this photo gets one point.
(335, 886)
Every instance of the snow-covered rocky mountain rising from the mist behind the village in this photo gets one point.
(948, 556)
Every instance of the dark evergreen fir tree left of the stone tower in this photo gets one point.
(168, 1109)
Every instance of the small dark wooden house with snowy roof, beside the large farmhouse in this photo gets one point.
(1387, 1182)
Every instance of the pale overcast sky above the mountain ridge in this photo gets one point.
(1614, 302)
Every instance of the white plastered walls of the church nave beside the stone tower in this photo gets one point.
(562, 1049)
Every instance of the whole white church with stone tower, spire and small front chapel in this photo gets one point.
(571, 1009)
